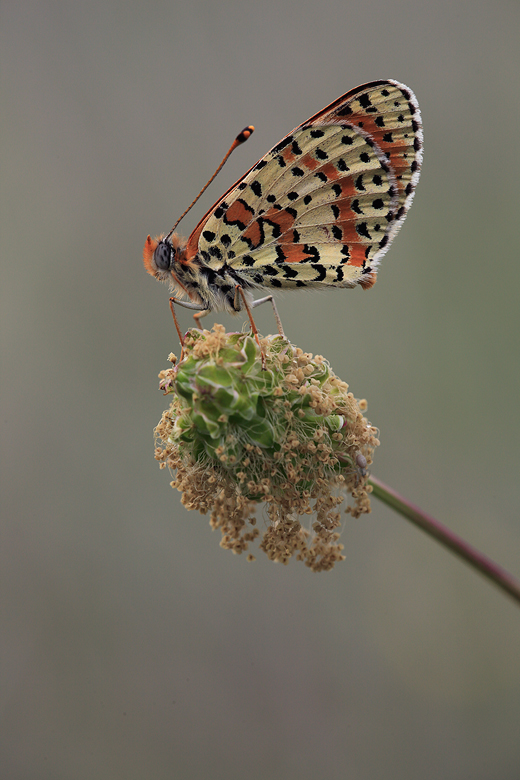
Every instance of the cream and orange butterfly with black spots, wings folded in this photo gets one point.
(320, 209)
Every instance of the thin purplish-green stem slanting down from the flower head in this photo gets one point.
(446, 537)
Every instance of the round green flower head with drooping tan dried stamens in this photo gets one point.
(291, 437)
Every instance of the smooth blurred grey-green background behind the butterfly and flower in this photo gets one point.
(132, 645)
